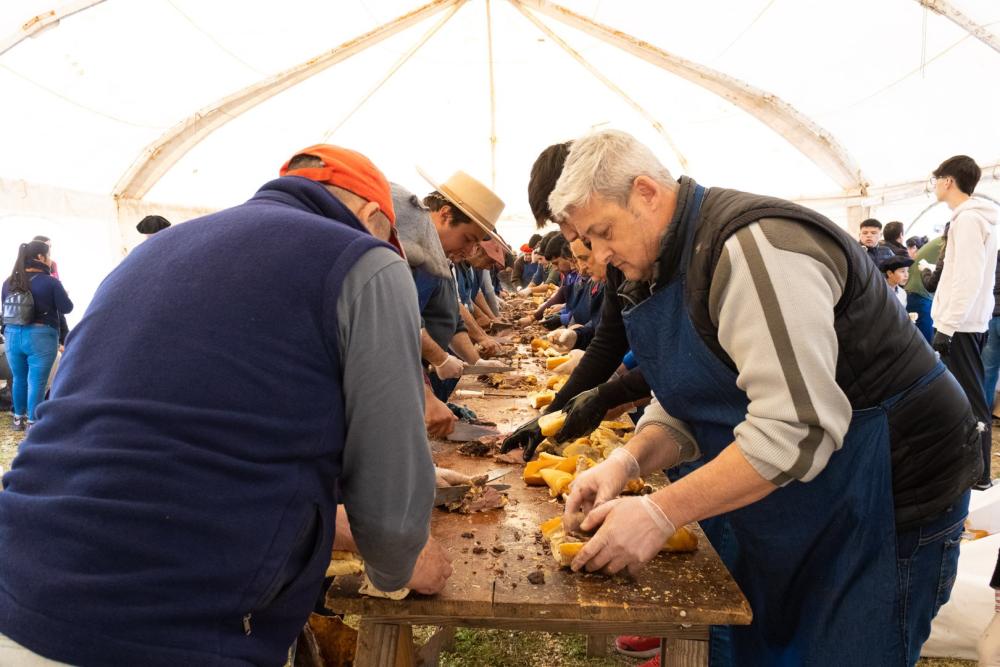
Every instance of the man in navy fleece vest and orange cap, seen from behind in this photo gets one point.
(227, 388)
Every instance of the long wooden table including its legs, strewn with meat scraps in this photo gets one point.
(676, 596)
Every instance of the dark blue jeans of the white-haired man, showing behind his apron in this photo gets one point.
(927, 562)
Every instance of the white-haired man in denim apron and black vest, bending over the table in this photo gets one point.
(837, 451)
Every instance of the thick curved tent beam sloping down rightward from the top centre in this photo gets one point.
(816, 143)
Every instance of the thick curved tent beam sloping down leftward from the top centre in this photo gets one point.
(161, 155)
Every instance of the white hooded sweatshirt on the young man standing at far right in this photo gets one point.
(964, 298)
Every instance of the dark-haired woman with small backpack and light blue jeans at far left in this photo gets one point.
(32, 332)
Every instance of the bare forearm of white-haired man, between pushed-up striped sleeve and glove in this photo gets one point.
(726, 483)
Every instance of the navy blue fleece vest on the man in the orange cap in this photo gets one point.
(175, 503)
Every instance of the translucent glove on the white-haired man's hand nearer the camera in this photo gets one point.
(632, 531)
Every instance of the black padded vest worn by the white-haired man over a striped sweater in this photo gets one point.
(935, 451)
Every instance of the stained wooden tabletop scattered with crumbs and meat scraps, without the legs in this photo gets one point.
(494, 552)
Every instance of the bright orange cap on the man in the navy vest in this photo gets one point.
(353, 172)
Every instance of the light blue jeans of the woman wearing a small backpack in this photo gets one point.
(31, 351)
